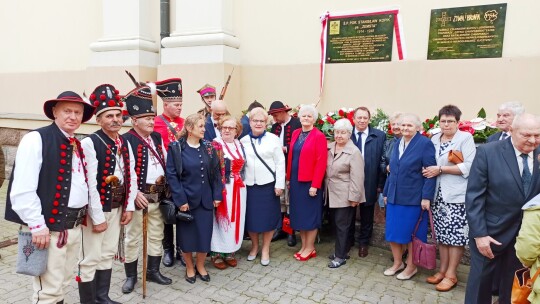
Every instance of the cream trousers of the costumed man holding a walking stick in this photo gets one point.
(155, 233)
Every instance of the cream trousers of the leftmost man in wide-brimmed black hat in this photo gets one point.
(50, 287)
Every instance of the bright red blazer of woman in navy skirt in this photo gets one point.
(312, 159)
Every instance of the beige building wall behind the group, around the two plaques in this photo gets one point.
(46, 51)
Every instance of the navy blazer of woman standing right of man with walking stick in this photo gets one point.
(188, 186)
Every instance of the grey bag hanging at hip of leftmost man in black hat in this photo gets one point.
(30, 260)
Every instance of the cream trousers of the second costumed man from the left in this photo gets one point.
(99, 249)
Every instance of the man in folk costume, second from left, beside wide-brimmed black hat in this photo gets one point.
(112, 184)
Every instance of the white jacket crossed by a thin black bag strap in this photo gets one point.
(271, 152)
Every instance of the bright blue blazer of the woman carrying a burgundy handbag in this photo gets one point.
(405, 184)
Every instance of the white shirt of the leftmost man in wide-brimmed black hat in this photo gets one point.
(24, 199)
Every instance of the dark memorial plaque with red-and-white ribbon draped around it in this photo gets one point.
(360, 39)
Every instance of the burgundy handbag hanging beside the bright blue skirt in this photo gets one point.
(424, 254)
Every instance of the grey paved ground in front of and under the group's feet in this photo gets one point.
(285, 280)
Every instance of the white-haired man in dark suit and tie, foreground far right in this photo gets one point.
(504, 176)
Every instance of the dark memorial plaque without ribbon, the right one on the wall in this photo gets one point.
(467, 32)
